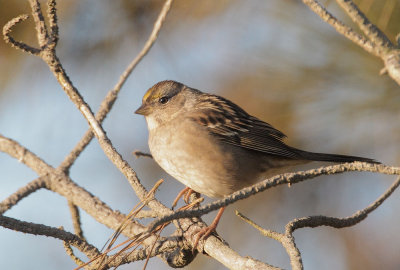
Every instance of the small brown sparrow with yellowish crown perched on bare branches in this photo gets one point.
(213, 146)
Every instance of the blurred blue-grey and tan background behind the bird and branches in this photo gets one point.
(276, 59)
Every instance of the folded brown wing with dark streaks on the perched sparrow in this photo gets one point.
(233, 125)
